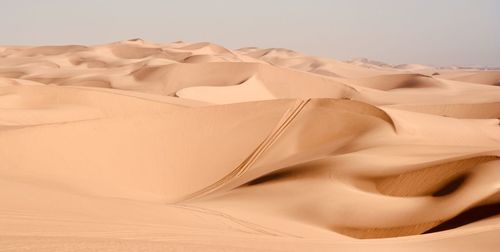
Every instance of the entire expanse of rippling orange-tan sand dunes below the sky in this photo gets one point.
(136, 146)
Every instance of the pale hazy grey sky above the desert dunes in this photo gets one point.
(438, 32)
